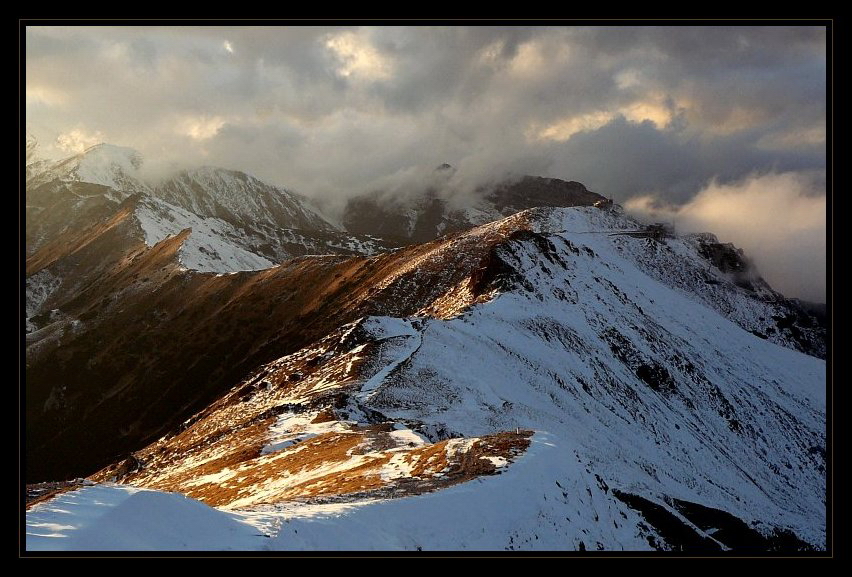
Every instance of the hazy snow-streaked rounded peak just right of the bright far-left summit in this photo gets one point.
(239, 198)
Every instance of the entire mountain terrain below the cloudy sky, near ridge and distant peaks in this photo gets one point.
(535, 370)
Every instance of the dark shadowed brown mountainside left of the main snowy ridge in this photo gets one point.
(158, 343)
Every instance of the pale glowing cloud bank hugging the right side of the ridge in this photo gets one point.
(777, 218)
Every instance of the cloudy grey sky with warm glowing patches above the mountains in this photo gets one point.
(714, 128)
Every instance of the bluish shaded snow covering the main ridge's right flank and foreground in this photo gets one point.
(739, 427)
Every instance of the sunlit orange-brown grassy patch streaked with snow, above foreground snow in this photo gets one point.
(336, 464)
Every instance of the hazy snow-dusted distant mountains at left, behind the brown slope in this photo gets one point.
(238, 222)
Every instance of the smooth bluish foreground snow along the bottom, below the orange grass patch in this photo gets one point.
(522, 509)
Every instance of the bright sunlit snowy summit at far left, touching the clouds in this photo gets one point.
(116, 167)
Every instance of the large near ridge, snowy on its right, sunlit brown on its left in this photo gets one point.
(662, 420)
